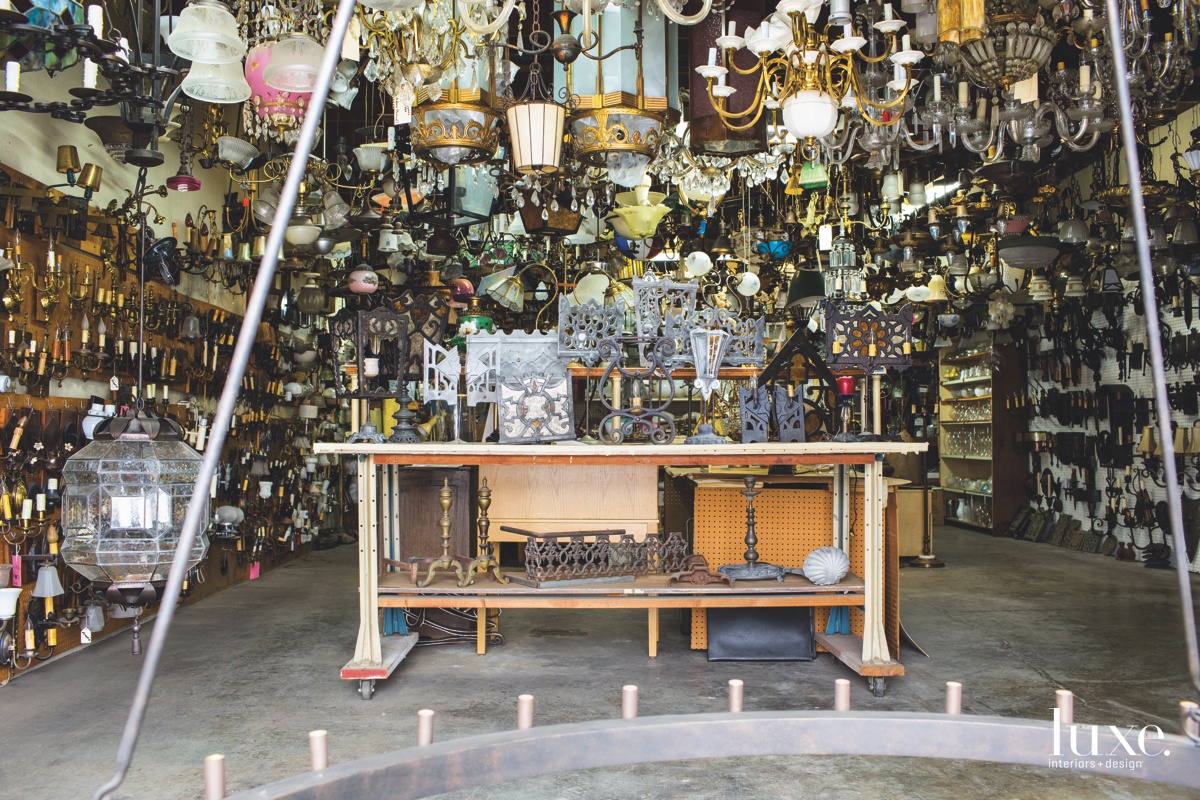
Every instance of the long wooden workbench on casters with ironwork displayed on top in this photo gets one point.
(868, 657)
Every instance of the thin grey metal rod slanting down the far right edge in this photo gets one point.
(1154, 335)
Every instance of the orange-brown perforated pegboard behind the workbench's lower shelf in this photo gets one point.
(791, 524)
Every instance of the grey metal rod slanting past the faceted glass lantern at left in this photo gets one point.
(224, 418)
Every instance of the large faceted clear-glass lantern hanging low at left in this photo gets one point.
(124, 503)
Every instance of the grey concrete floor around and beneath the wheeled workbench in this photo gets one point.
(253, 670)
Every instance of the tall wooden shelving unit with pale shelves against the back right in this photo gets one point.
(980, 471)
